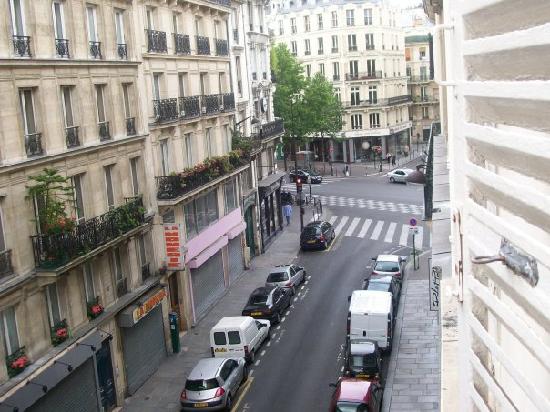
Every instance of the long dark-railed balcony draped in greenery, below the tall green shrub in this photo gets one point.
(52, 251)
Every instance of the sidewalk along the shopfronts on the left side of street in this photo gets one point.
(161, 391)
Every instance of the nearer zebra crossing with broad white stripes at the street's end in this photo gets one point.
(378, 230)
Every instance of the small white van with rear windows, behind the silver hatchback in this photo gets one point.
(238, 337)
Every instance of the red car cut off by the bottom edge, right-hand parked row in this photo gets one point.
(356, 395)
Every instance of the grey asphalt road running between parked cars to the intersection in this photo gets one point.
(307, 349)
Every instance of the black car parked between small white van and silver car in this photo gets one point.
(268, 303)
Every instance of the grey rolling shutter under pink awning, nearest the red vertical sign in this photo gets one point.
(208, 284)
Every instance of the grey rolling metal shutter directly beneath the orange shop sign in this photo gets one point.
(144, 348)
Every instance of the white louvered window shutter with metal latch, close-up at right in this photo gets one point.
(495, 284)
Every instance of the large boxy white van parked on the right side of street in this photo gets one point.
(370, 317)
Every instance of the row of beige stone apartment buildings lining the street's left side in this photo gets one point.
(122, 201)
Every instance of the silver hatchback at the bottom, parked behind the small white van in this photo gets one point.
(213, 384)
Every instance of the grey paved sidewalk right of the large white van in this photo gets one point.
(414, 375)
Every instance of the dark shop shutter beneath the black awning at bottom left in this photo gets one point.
(76, 393)
